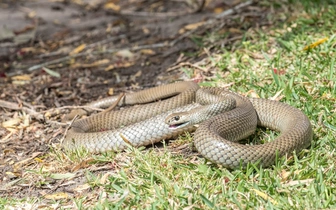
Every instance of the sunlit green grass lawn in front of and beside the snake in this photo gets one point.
(268, 63)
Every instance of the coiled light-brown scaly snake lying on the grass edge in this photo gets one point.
(219, 117)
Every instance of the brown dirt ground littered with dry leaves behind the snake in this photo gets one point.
(71, 52)
